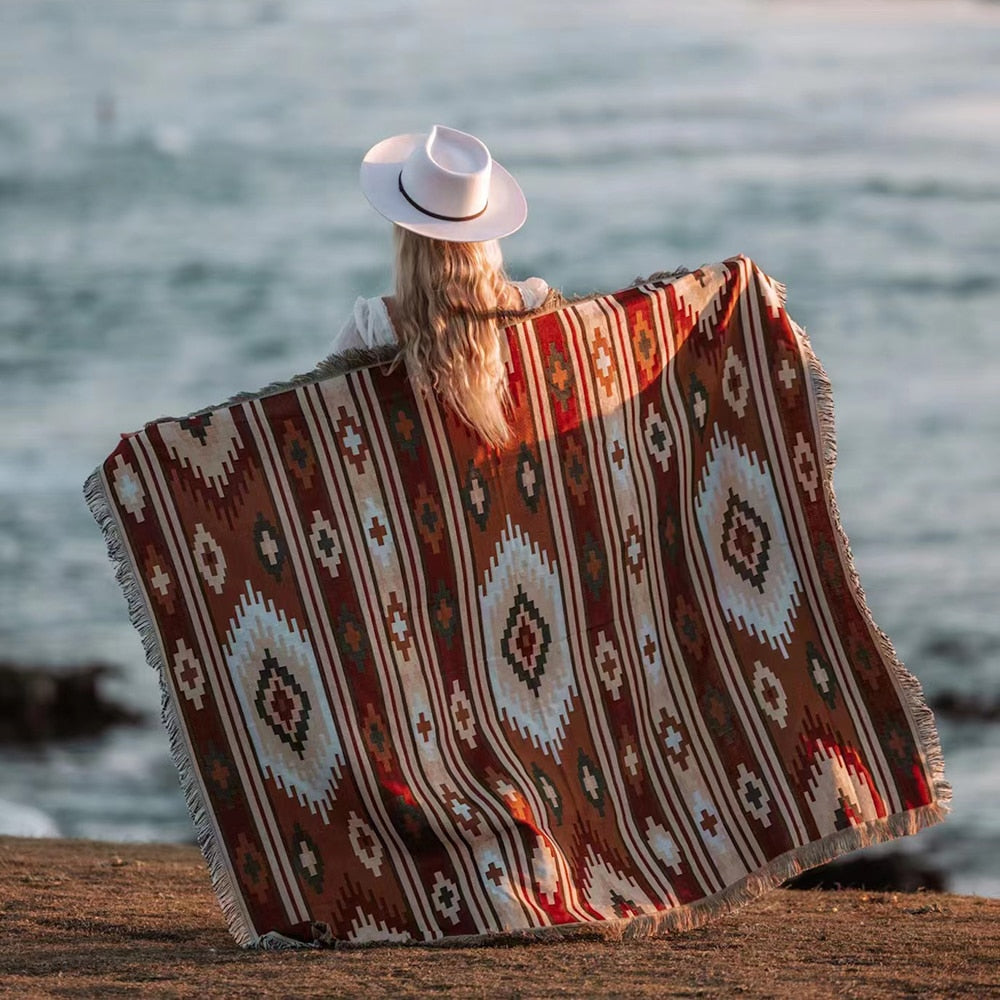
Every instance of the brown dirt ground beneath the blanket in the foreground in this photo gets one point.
(82, 919)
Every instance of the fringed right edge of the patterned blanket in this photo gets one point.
(907, 685)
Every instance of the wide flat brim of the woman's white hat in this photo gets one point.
(505, 212)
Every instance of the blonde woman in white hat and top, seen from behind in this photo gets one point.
(450, 203)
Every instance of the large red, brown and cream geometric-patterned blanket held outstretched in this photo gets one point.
(618, 673)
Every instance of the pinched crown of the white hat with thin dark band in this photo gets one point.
(448, 175)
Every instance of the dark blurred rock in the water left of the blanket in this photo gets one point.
(45, 703)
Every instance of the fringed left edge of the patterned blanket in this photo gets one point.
(212, 849)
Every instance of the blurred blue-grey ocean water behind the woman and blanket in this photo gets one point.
(180, 220)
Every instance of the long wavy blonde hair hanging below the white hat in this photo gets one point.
(452, 301)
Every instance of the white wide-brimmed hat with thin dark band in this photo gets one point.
(443, 184)
